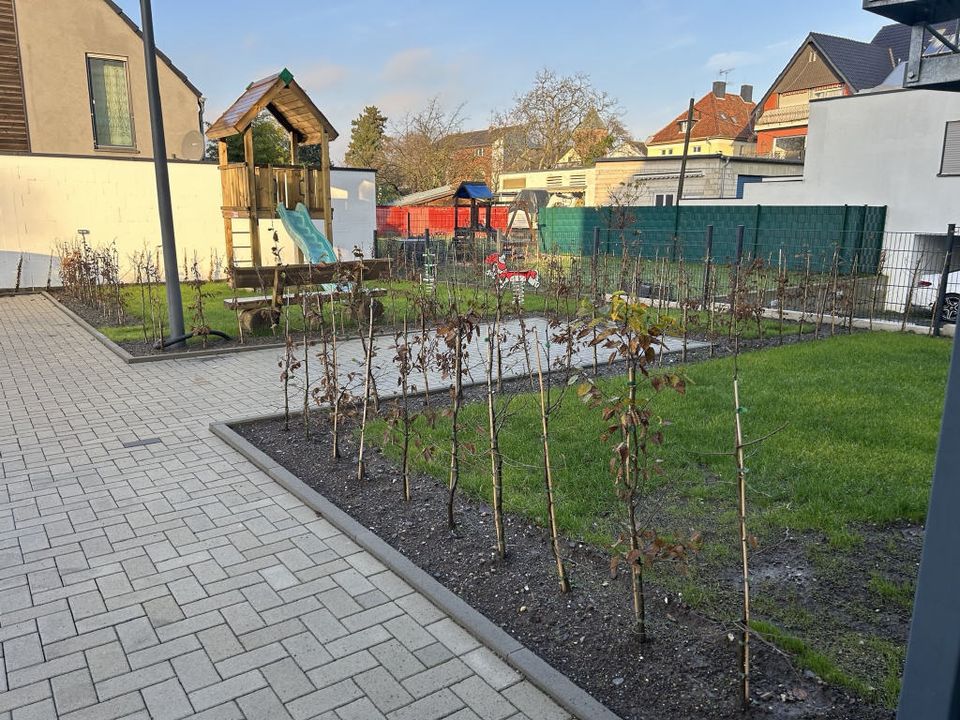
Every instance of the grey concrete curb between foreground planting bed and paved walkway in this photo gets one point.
(553, 683)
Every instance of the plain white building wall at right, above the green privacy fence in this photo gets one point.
(877, 149)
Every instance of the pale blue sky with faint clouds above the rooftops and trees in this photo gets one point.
(652, 55)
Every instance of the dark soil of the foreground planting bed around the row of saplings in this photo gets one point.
(688, 670)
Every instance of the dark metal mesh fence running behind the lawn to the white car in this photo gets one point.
(880, 276)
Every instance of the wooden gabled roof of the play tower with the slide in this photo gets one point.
(285, 100)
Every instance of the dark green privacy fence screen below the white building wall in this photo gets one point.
(793, 235)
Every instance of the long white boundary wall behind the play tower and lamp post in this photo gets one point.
(44, 200)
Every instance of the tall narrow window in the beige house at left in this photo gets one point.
(110, 106)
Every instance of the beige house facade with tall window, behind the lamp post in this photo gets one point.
(73, 79)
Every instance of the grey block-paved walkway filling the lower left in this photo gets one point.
(148, 571)
